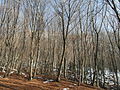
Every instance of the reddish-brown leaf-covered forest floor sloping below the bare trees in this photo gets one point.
(17, 82)
